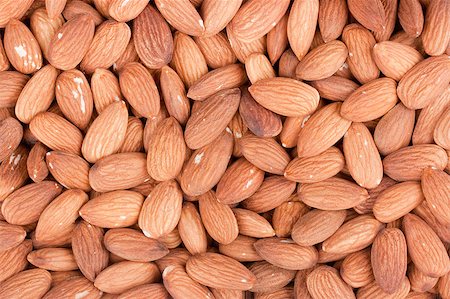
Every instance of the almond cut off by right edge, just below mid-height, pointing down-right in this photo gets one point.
(435, 186)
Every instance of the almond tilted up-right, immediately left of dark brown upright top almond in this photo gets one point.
(110, 41)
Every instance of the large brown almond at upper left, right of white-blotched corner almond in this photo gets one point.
(79, 31)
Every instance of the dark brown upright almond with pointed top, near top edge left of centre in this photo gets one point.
(152, 38)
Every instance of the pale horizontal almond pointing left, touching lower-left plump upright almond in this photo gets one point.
(108, 209)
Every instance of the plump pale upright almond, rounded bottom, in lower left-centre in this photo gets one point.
(161, 210)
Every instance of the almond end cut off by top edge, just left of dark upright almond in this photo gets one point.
(124, 11)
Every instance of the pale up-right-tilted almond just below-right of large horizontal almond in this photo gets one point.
(325, 125)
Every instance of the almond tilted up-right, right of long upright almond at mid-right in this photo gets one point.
(394, 130)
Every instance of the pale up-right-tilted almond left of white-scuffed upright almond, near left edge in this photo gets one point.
(37, 95)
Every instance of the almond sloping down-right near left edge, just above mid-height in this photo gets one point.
(69, 142)
